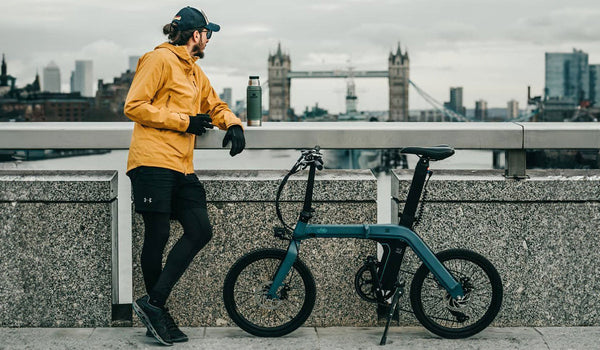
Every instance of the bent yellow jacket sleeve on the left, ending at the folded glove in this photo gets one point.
(149, 78)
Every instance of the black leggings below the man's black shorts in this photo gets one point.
(197, 232)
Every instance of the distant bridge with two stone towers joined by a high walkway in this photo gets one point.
(280, 76)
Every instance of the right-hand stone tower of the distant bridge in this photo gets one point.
(398, 66)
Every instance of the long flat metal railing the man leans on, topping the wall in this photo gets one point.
(515, 138)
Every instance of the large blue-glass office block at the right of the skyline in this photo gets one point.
(567, 76)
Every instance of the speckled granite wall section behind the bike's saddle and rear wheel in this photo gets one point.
(540, 233)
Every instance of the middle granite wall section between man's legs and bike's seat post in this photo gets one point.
(242, 212)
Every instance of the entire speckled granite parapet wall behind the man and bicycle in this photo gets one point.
(58, 246)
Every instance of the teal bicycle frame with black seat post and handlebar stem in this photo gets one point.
(394, 238)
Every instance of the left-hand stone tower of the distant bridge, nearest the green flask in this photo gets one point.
(279, 86)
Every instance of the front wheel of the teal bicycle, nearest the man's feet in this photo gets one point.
(245, 294)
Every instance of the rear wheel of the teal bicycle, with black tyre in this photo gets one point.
(483, 276)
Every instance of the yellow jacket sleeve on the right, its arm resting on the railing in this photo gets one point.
(219, 112)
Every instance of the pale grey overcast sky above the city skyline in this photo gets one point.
(493, 49)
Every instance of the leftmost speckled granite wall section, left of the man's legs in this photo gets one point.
(55, 248)
